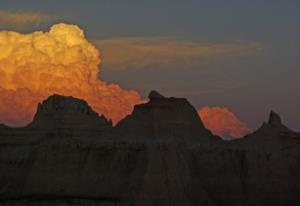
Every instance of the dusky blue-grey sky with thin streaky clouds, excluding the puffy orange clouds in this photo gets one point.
(244, 55)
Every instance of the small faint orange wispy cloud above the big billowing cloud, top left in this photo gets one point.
(21, 18)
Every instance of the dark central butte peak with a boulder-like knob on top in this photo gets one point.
(165, 118)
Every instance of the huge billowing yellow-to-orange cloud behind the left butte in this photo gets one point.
(34, 66)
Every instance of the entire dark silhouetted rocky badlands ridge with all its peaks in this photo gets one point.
(161, 154)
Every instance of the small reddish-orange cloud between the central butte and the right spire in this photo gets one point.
(223, 122)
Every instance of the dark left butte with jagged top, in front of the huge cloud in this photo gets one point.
(67, 112)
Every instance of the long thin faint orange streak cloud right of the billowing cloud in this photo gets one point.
(140, 52)
